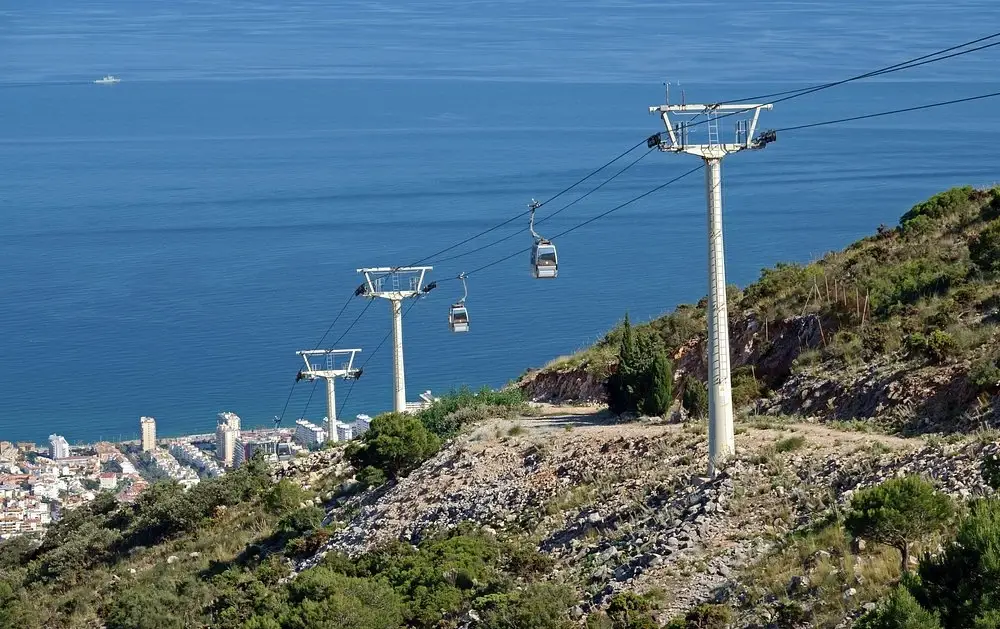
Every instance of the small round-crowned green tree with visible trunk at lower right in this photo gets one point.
(898, 512)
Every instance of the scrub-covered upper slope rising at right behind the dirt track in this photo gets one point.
(897, 329)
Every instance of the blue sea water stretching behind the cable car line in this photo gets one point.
(167, 243)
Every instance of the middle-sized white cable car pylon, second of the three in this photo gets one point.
(396, 284)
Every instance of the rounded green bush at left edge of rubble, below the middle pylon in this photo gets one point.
(395, 443)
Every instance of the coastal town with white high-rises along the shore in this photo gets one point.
(38, 484)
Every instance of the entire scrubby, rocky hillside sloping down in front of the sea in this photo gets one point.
(485, 511)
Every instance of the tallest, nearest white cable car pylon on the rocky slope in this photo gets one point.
(721, 437)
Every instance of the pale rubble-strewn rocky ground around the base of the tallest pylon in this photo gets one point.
(624, 506)
